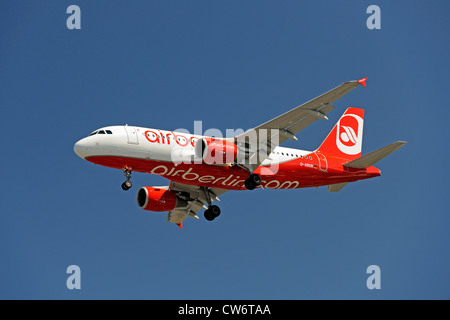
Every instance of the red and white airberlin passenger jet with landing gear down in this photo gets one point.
(200, 168)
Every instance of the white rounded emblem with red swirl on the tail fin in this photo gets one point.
(349, 134)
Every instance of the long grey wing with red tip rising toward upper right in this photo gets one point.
(274, 132)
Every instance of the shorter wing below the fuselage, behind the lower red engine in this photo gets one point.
(196, 198)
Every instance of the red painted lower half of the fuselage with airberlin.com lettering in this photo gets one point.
(296, 173)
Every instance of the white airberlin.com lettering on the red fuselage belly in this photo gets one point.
(228, 181)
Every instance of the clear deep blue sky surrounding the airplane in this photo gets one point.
(231, 64)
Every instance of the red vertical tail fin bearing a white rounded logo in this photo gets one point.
(345, 140)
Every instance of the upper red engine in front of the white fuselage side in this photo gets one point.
(216, 151)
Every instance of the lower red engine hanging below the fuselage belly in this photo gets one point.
(156, 199)
